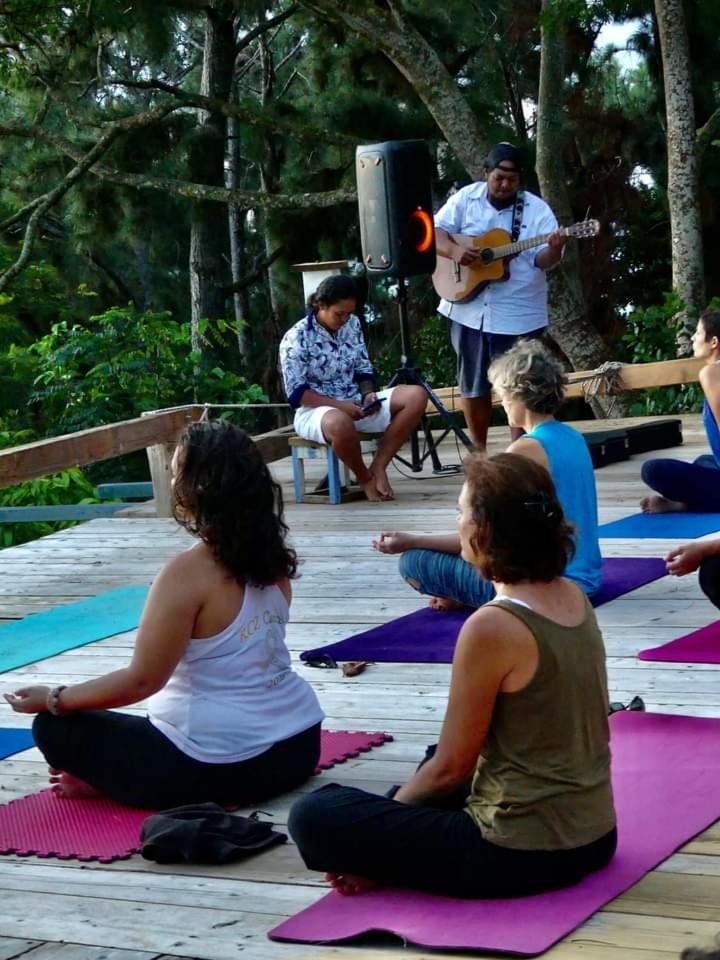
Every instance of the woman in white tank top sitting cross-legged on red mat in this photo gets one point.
(228, 719)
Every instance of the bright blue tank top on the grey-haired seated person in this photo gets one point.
(572, 472)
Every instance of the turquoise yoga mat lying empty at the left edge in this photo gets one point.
(45, 634)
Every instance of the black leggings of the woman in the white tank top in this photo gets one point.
(128, 759)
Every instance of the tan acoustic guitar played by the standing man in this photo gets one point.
(458, 284)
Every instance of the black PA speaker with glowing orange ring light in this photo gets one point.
(394, 181)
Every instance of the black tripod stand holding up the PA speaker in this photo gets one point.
(409, 373)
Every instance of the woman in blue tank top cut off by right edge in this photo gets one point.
(679, 485)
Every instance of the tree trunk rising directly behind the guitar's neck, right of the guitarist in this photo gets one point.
(570, 325)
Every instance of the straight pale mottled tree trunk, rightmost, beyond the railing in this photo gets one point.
(683, 178)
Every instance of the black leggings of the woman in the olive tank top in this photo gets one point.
(346, 830)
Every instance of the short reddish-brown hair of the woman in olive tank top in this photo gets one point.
(521, 530)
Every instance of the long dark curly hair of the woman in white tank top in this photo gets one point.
(226, 496)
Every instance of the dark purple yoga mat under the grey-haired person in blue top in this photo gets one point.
(429, 636)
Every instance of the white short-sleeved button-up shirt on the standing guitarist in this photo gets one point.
(518, 305)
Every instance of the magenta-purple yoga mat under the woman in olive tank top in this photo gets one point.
(666, 778)
